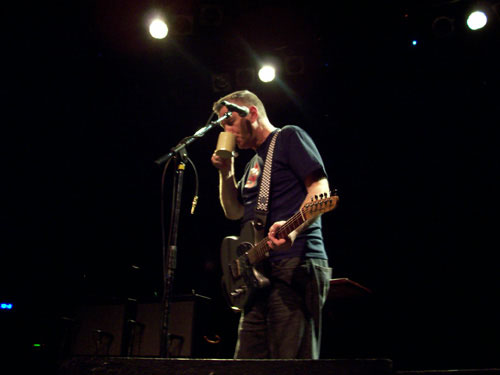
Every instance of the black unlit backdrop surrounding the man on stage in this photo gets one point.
(409, 135)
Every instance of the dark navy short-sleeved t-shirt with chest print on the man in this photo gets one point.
(295, 157)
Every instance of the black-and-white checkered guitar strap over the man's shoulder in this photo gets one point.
(261, 209)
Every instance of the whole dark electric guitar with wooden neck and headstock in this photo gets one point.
(239, 256)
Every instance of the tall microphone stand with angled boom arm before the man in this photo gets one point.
(179, 154)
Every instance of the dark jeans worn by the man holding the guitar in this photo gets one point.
(285, 320)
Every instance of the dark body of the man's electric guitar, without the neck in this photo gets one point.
(240, 278)
